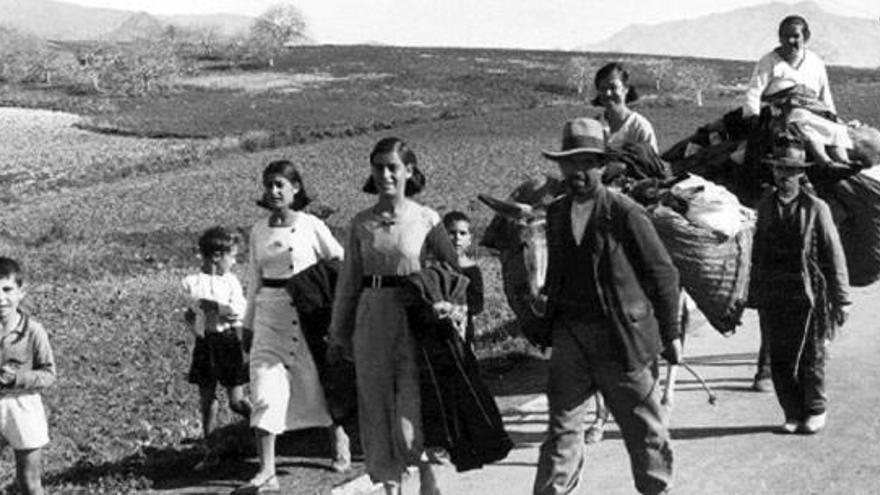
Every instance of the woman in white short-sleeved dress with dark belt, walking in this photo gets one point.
(286, 392)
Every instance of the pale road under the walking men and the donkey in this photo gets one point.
(730, 448)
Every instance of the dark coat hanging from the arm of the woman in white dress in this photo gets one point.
(312, 293)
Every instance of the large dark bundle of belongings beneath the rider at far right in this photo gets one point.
(729, 152)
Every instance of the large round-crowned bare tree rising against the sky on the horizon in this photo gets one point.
(280, 25)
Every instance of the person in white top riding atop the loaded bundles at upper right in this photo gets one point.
(791, 64)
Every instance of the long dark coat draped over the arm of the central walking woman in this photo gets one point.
(458, 412)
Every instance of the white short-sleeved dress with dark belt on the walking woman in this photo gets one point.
(285, 389)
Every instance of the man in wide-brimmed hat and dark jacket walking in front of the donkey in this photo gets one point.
(612, 303)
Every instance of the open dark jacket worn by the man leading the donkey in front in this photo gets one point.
(636, 282)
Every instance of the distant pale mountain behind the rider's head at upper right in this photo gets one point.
(748, 33)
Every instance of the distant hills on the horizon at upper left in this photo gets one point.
(51, 19)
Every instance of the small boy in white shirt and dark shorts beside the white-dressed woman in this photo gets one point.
(214, 317)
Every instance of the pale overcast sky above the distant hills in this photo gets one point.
(551, 24)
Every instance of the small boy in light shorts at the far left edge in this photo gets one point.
(26, 367)
